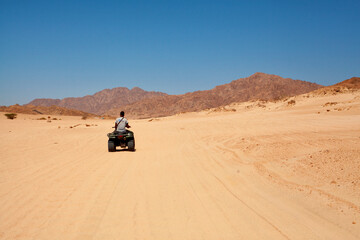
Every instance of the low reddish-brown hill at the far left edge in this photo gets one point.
(52, 110)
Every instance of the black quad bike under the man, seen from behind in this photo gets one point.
(121, 139)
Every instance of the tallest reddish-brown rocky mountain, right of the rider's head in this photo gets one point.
(258, 86)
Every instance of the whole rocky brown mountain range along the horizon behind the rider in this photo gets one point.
(143, 104)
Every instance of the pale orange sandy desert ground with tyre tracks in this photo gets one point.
(264, 171)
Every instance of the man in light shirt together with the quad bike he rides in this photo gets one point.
(121, 136)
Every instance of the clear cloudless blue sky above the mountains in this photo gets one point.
(58, 49)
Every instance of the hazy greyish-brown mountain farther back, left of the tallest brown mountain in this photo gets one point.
(100, 102)
